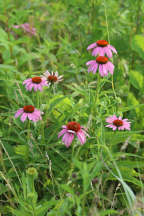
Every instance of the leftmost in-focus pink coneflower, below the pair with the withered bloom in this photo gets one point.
(29, 112)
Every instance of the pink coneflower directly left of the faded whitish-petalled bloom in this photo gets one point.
(36, 83)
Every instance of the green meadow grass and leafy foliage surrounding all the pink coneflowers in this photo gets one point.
(39, 176)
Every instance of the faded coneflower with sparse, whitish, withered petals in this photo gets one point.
(52, 77)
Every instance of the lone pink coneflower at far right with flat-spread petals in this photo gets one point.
(118, 122)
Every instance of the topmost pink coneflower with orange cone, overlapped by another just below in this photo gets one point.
(102, 47)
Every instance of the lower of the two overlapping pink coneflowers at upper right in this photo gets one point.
(103, 64)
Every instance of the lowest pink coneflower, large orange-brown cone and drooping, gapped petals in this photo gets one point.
(71, 129)
